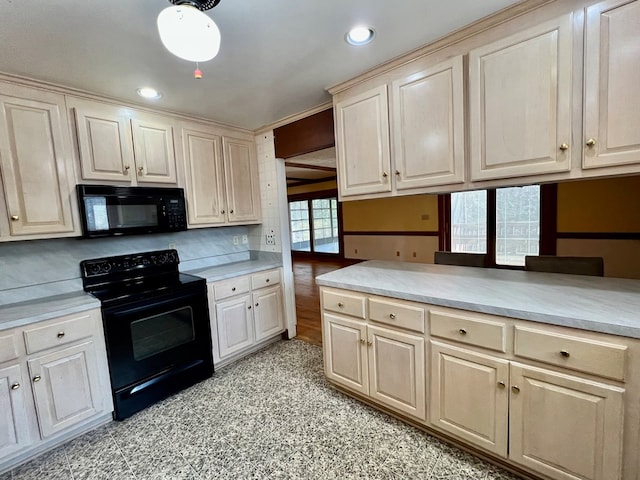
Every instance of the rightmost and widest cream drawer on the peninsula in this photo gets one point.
(582, 354)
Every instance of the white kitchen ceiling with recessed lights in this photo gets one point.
(276, 59)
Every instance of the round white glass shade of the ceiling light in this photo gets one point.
(189, 33)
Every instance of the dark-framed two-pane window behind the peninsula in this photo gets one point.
(505, 223)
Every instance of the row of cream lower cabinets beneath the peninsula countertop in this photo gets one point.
(556, 402)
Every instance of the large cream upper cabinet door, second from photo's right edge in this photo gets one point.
(520, 91)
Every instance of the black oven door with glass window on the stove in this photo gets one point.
(155, 338)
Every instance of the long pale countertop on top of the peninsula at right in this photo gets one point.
(607, 305)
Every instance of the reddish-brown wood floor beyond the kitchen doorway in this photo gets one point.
(305, 271)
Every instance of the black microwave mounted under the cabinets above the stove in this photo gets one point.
(107, 210)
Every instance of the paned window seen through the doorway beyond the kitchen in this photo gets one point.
(314, 225)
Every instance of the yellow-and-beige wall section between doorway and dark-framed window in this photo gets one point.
(398, 228)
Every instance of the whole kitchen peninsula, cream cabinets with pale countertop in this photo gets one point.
(540, 371)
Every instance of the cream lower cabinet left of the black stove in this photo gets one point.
(54, 386)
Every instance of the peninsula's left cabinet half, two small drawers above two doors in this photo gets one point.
(386, 364)
